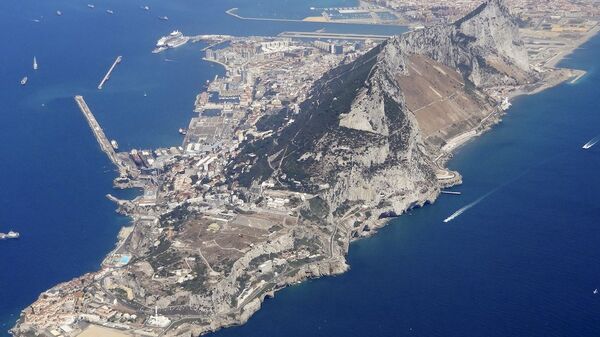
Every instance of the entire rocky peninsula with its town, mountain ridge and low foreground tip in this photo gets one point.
(253, 202)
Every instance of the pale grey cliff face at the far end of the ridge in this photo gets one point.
(484, 45)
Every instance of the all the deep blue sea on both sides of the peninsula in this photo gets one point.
(524, 261)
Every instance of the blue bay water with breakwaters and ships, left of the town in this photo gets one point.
(53, 177)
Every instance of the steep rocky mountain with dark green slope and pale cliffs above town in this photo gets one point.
(369, 128)
